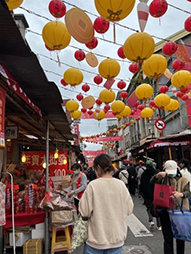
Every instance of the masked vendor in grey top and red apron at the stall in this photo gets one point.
(78, 184)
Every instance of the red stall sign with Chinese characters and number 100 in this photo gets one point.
(35, 160)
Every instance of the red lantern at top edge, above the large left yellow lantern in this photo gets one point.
(57, 8)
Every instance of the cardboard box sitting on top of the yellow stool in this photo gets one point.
(63, 216)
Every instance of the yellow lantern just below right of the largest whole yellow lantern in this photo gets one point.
(155, 66)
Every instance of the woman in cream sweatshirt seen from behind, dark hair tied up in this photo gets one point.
(107, 203)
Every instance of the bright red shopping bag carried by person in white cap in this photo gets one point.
(162, 193)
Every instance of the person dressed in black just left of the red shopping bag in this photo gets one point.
(147, 190)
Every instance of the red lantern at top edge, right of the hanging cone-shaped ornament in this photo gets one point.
(157, 8)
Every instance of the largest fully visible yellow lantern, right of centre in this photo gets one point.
(139, 47)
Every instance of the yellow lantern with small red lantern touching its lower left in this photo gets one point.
(73, 76)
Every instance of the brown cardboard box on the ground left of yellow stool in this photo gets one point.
(33, 246)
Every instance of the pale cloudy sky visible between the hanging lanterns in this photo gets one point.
(37, 15)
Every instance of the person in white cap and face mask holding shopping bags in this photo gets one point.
(182, 192)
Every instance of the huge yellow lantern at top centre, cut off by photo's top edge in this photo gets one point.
(114, 10)
